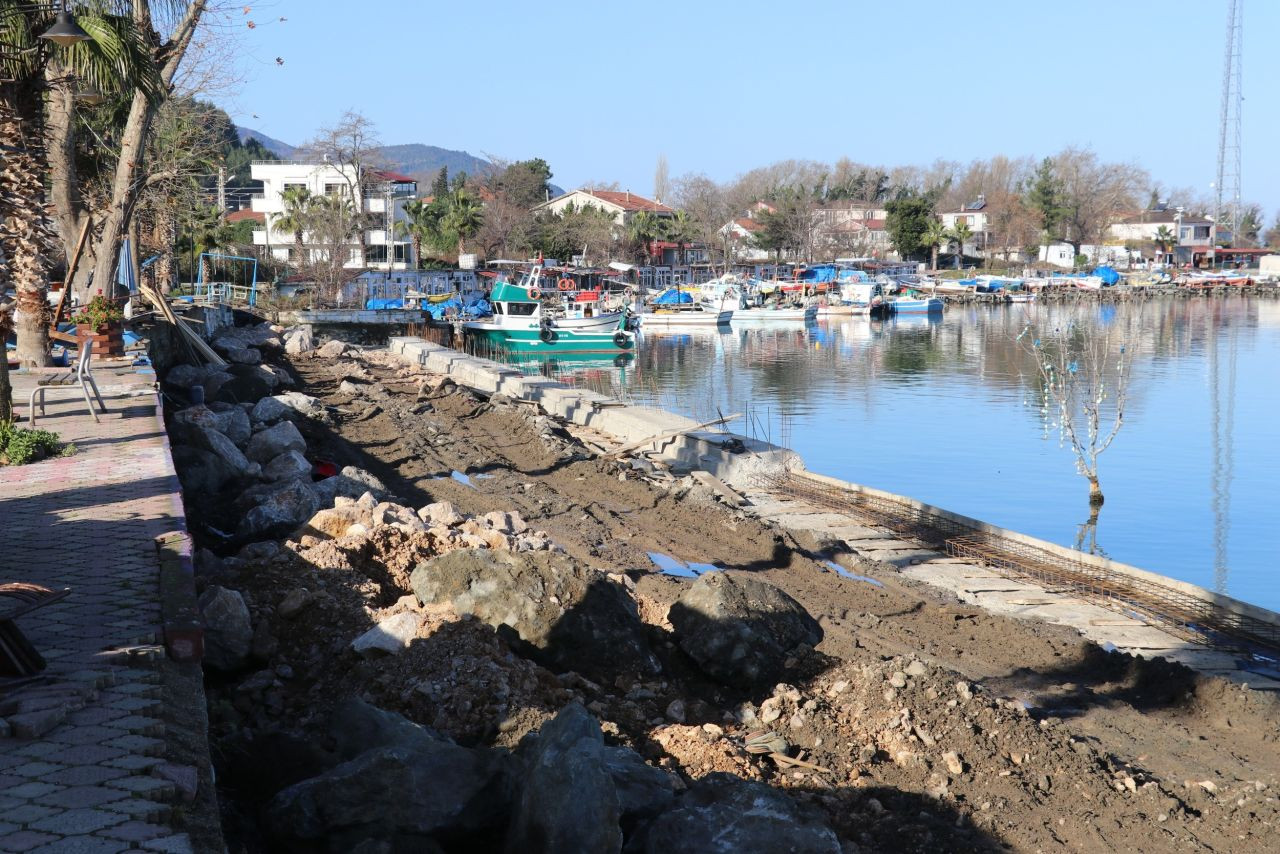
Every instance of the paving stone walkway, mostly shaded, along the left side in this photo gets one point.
(84, 762)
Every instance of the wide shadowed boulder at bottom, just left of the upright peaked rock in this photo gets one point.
(409, 784)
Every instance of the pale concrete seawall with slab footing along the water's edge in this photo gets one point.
(752, 467)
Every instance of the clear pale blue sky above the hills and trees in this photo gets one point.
(601, 89)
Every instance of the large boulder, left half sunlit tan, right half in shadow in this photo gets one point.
(569, 616)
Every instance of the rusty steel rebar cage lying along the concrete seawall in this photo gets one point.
(1183, 614)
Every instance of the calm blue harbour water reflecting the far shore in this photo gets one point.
(949, 412)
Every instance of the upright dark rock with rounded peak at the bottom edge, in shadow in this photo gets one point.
(568, 802)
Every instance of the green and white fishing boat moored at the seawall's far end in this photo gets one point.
(522, 322)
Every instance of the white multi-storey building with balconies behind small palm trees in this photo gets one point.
(382, 200)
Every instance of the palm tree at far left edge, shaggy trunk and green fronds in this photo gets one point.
(36, 72)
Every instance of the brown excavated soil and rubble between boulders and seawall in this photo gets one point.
(917, 724)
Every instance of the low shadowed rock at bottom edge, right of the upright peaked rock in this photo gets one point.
(723, 815)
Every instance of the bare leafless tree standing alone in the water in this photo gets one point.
(1085, 385)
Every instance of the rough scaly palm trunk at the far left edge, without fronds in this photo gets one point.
(26, 235)
